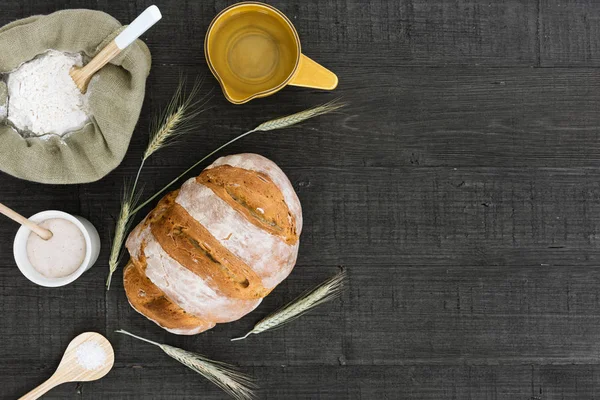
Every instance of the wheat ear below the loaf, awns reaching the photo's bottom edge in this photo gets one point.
(238, 385)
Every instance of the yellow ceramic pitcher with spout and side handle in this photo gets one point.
(254, 51)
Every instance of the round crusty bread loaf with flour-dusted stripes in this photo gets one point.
(210, 251)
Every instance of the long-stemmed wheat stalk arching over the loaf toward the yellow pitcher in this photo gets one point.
(278, 123)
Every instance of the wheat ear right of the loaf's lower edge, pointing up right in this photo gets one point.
(324, 292)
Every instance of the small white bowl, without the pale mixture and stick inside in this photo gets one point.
(92, 249)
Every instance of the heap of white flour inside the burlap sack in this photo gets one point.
(42, 97)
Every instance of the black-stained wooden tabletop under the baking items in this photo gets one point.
(461, 189)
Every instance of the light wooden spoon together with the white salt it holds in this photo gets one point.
(88, 357)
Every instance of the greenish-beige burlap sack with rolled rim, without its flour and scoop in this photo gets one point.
(116, 96)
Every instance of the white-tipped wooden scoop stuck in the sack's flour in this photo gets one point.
(82, 75)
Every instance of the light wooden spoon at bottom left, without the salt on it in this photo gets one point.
(70, 369)
